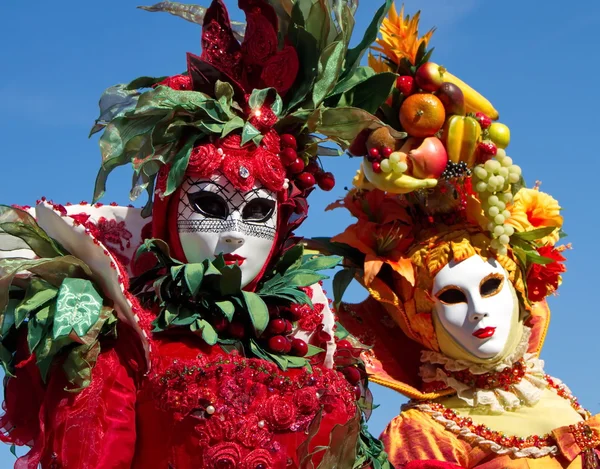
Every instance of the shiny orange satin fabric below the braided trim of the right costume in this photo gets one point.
(414, 435)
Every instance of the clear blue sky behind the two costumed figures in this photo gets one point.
(536, 61)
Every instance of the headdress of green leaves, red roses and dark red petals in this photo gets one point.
(259, 109)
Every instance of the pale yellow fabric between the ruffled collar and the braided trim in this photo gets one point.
(552, 411)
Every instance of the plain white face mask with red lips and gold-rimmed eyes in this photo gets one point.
(475, 305)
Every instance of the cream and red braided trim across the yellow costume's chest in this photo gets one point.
(477, 440)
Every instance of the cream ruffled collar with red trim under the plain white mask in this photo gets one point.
(518, 380)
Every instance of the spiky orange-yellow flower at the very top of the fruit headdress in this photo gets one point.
(400, 39)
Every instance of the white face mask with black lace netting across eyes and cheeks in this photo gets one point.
(216, 218)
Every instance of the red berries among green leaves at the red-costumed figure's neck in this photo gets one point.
(280, 327)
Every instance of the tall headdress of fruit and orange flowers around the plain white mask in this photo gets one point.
(445, 192)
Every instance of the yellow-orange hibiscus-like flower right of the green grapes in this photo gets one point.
(532, 209)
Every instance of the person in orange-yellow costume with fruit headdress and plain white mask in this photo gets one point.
(458, 257)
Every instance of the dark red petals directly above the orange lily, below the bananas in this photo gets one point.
(373, 206)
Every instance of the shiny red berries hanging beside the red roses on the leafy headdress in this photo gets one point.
(304, 175)
